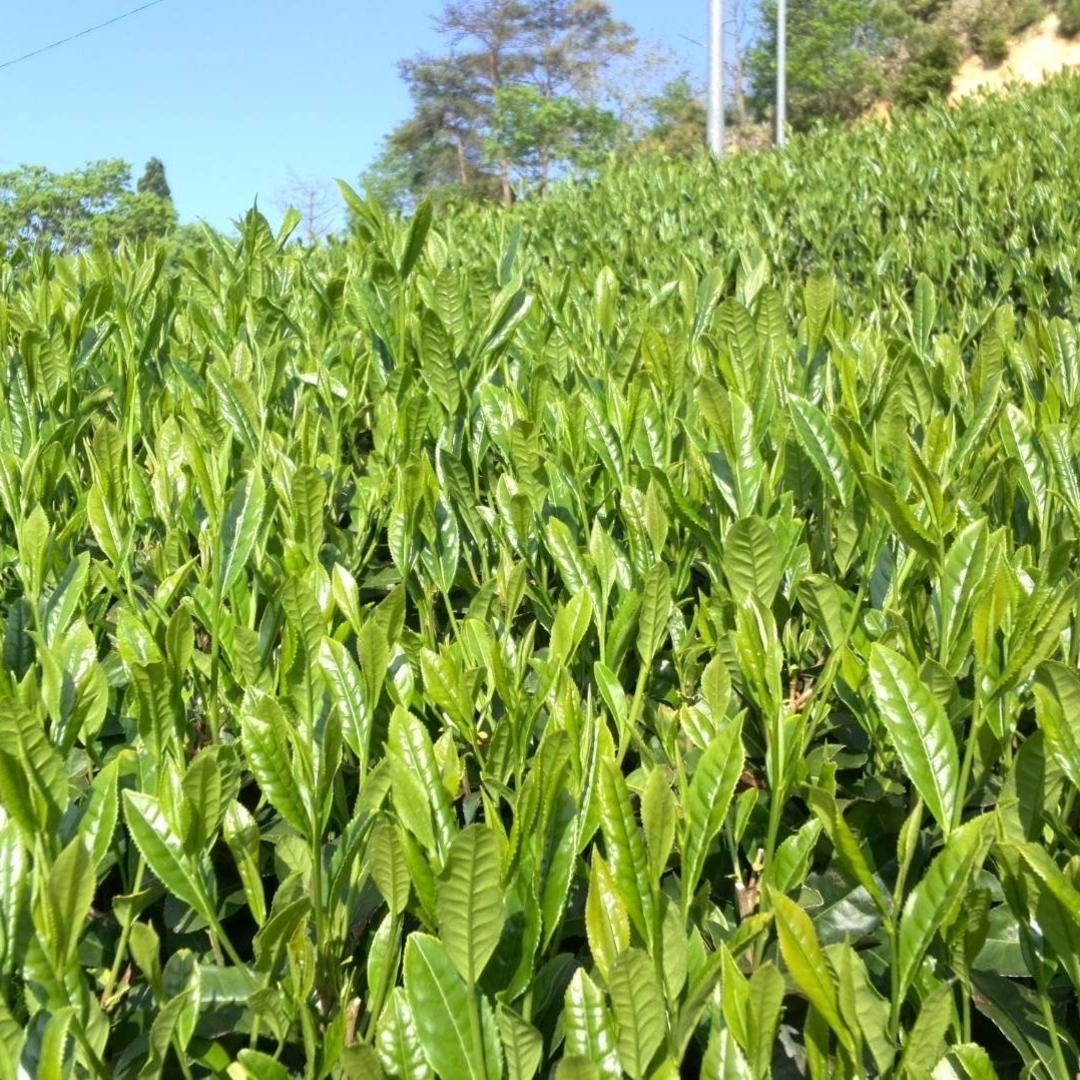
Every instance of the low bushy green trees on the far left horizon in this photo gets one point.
(71, 211)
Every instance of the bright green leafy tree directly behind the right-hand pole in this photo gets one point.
(835, 50)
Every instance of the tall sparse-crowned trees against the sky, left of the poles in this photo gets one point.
(516, 101)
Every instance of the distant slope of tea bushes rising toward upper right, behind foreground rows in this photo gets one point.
(943, 192)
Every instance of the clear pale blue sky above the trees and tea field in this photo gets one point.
(233, 96)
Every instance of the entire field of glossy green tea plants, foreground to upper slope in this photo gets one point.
(632, 636)
